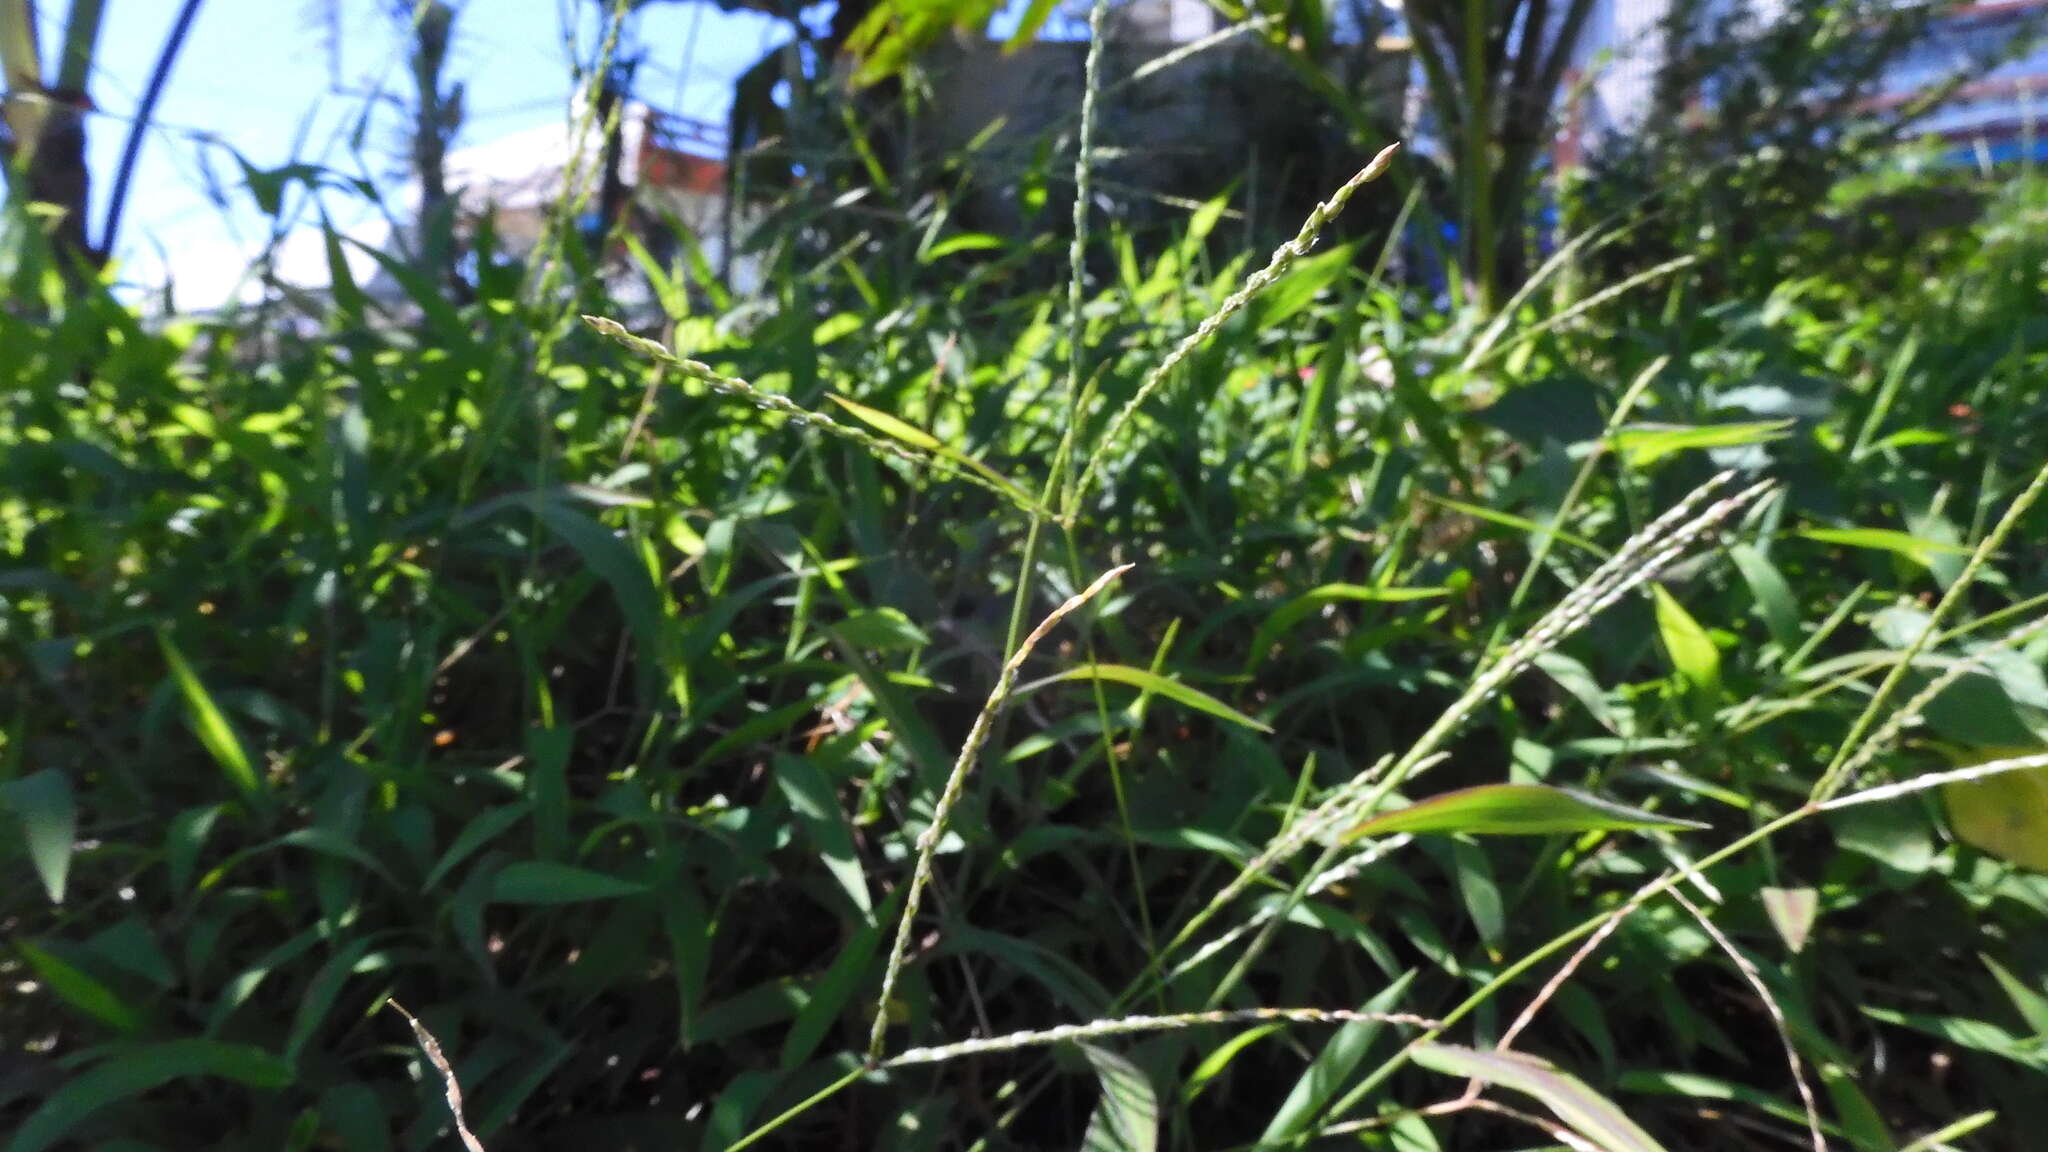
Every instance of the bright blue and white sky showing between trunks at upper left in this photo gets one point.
(259, 77)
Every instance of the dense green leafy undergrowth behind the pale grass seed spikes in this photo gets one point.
(468, 659)
